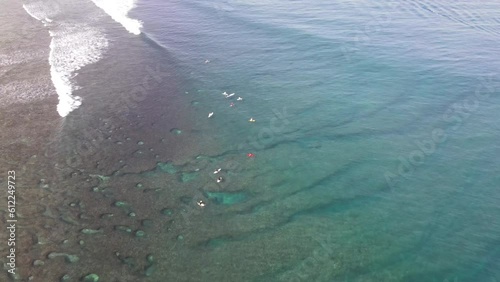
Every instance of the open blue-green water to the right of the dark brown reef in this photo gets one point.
(376, 128)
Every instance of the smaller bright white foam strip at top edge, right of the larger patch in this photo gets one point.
(118, 10)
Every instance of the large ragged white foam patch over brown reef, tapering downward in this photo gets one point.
(73, 46)
